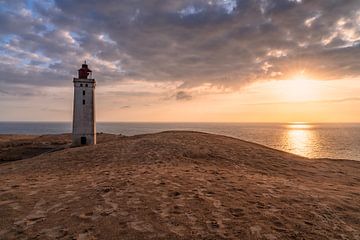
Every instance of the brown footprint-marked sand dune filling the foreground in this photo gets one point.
(178, 185)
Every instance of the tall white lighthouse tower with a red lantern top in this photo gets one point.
(84, 126)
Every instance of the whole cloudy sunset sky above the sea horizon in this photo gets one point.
(183, 60)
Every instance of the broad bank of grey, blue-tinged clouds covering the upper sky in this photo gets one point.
(224, 43)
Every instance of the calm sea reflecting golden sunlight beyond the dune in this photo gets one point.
(320, 140)
